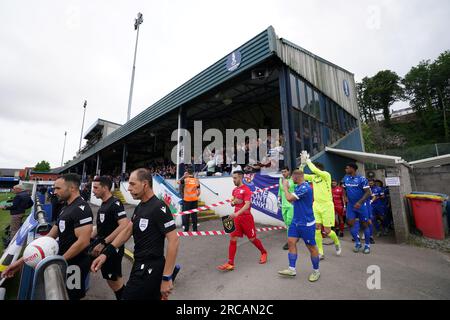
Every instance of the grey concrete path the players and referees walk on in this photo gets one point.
(407, 272)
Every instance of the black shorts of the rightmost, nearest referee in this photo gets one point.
(145, 280)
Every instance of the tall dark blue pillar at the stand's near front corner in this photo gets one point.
(287, 123)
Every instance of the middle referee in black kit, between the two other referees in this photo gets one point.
(111, 220)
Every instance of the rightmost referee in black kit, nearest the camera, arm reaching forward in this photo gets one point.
(151, 224)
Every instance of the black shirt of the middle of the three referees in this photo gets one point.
(109, 213)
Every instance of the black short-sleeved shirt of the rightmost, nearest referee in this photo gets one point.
(151, 221)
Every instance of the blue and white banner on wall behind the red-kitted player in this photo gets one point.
(267, 201)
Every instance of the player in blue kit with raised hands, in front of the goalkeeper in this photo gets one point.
(303, 225)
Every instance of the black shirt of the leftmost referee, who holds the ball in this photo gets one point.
(75, 215)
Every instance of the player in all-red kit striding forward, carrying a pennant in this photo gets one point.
(243, 221)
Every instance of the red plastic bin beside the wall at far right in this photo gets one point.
(428, 214)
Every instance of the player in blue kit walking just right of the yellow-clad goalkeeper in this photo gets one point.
(357, 192)
